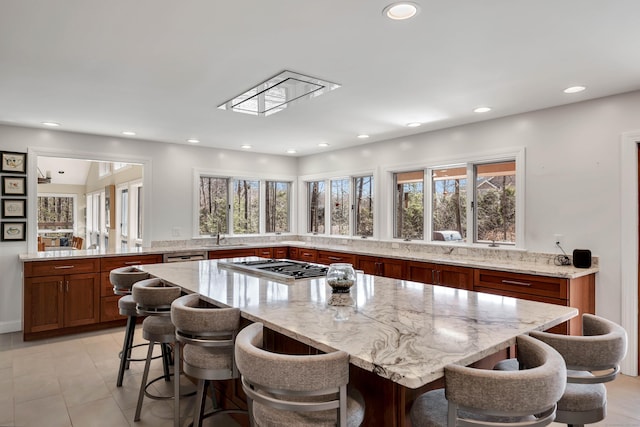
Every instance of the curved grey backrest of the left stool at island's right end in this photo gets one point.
(530, 391)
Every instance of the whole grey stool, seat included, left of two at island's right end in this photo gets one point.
(483, 397)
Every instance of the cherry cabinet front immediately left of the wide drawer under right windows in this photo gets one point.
(439, 274)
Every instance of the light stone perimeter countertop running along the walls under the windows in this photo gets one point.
(501, 260)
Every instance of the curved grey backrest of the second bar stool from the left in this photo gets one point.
(154, 296)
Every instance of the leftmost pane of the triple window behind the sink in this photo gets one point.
(214, 205)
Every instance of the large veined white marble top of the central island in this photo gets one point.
(404, 331)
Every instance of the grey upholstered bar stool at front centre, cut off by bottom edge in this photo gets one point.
(291, 390)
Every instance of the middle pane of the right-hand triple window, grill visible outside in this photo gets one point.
(449, 203)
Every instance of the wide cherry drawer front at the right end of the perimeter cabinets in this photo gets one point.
(521, 284)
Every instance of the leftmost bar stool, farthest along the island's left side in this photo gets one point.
(122, 280)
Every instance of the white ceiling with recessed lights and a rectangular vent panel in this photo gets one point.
(161, 67)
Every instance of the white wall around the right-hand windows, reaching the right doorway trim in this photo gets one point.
(572, 174)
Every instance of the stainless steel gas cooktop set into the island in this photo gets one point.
(281, 269)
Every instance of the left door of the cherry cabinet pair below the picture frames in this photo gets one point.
(43, 303)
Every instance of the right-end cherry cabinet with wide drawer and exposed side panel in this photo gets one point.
(578, 293)
